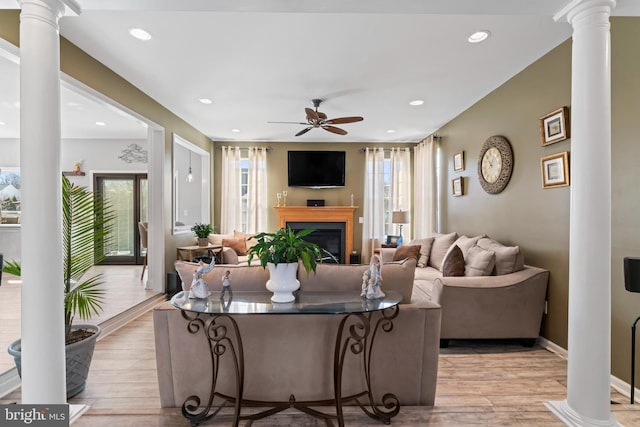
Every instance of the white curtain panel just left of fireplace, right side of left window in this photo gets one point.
(257, 191)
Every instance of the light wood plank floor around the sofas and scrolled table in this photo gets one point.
(479, 383)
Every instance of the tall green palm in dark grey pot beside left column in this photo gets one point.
(87, 222)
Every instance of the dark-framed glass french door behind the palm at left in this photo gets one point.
(128, 195)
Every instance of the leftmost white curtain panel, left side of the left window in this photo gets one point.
(231, 201)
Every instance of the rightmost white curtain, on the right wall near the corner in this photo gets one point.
(425, 195)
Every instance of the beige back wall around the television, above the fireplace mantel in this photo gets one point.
(277, 179)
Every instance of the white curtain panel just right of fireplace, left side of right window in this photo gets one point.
(373, 201)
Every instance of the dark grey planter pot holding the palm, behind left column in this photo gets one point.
(78, 357)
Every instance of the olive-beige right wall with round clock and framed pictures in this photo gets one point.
(537, 219)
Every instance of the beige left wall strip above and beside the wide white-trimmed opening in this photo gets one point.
(77, 64)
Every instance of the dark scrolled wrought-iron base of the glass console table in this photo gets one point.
(356, 336)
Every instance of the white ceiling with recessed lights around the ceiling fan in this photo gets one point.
(265, 60)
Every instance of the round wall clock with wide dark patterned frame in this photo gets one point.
(495, 164)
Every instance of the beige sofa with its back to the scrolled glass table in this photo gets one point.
(293, 354)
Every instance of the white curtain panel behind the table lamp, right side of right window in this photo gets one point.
(401, 185)
